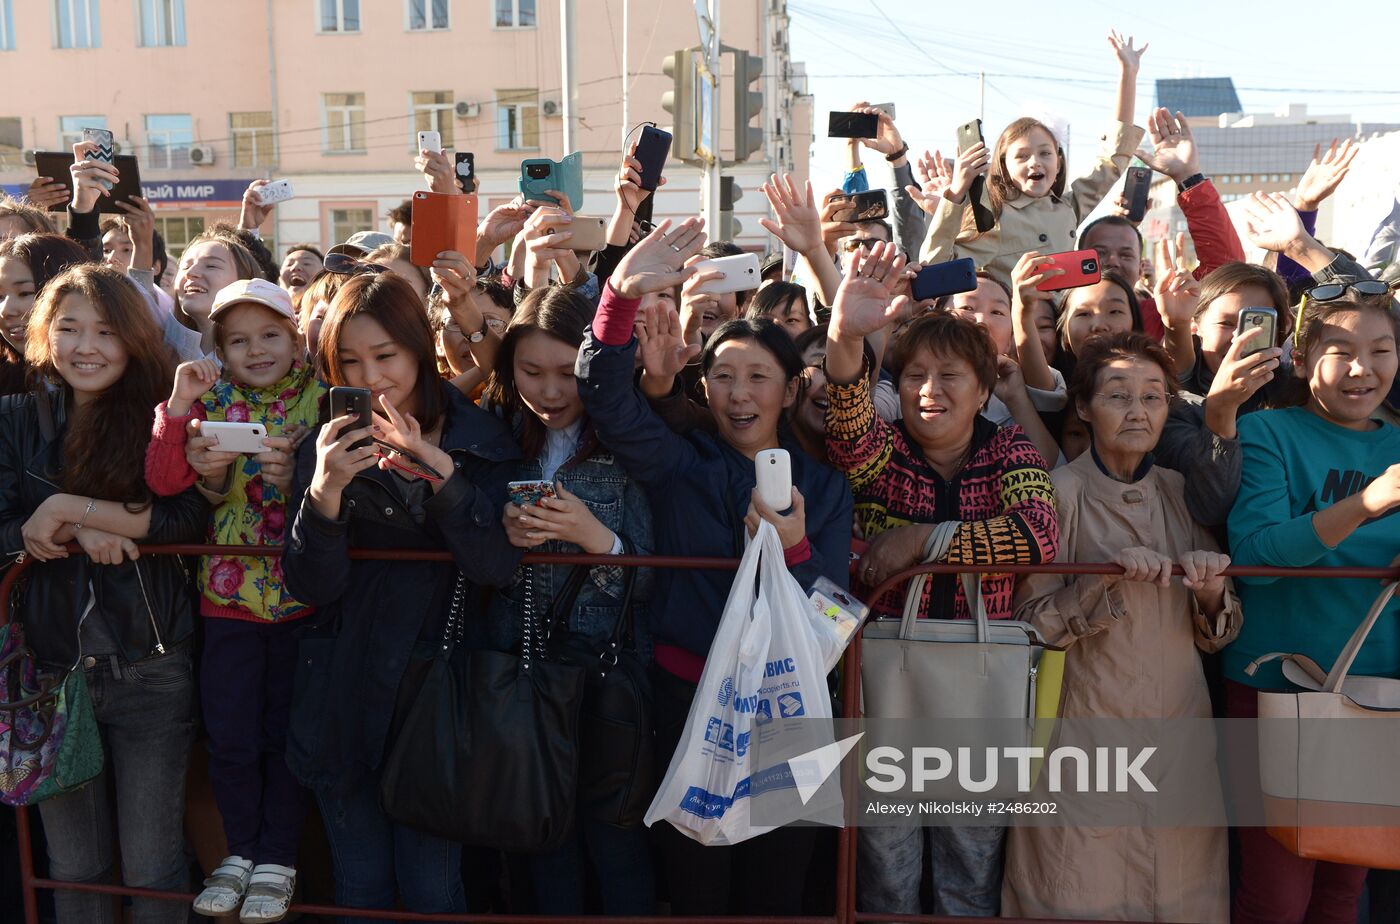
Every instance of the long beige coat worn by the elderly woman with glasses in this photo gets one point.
(1132, 654)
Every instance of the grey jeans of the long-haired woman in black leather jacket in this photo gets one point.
(145, 713)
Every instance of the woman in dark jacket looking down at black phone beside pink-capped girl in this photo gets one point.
(435, 481)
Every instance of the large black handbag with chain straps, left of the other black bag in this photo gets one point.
(488, 752)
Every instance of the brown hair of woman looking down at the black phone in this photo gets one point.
(394, 306)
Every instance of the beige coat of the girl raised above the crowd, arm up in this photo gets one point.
(1032, 225)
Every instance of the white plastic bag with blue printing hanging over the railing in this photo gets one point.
(764, 685)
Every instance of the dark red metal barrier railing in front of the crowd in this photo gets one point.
(845, 911)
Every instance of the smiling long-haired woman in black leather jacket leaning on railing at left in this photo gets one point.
(72, 471)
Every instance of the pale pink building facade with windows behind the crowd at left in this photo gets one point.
(331, 94)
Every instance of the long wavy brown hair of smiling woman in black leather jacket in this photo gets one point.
(104, 446)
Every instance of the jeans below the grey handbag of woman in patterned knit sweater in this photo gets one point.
(965, 866)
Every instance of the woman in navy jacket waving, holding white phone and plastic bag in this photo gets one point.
(703, 498)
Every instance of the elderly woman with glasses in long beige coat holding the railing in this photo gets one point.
(1132, 647)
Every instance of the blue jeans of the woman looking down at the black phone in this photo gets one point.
(377, 860)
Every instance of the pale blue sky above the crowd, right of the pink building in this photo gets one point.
(929, 65)
